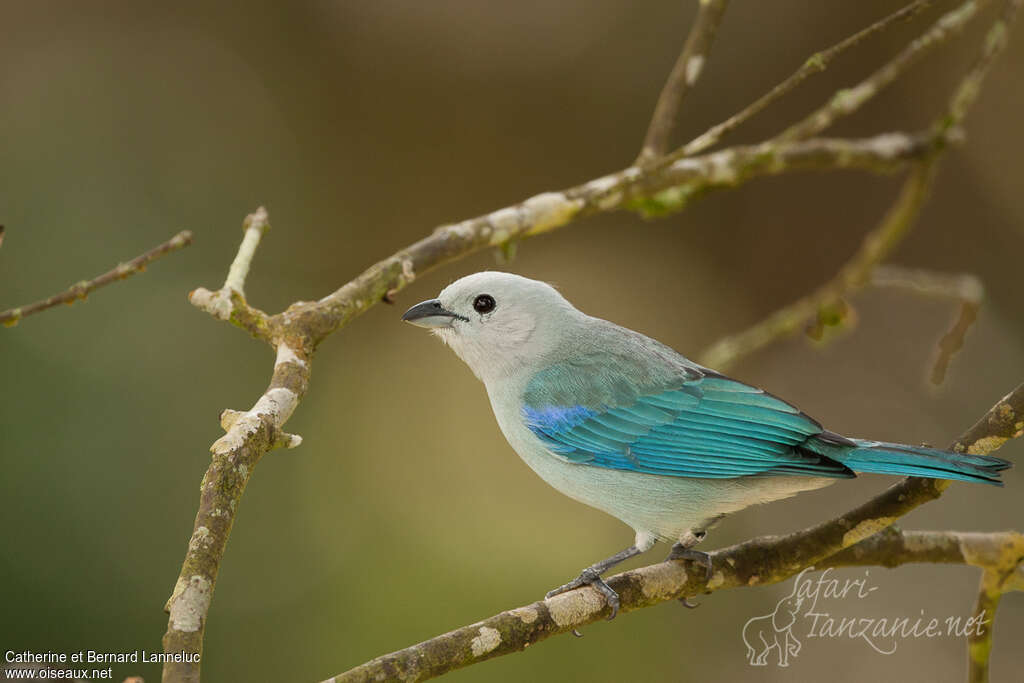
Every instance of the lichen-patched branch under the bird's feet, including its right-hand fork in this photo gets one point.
(755, 563)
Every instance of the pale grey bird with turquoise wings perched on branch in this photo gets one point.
(623, 423)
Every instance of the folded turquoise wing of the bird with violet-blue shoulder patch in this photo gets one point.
(692, 423)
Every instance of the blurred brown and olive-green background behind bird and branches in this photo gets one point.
(362, 124)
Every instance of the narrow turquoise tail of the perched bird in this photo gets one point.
(885, 458)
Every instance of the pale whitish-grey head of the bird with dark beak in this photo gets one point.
(496, 322)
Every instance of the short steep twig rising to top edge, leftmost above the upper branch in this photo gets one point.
(682, 78)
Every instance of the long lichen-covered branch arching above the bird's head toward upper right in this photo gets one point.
(652, 192)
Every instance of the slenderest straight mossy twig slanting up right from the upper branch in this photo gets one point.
(816, 64)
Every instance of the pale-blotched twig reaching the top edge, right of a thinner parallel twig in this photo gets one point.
(848, 101)
